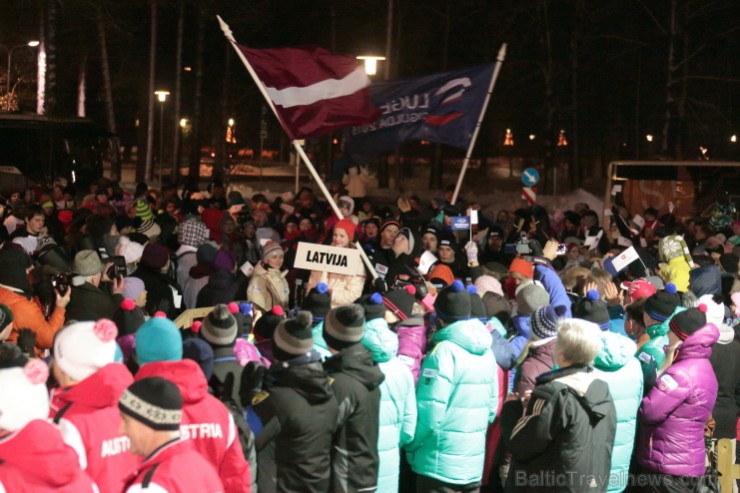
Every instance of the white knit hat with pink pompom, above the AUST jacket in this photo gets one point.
(82, 348)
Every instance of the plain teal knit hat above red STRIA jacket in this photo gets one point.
(158, 339)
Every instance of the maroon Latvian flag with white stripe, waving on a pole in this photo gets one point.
(314, 91)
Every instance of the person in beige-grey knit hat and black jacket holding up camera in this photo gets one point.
(89, 301)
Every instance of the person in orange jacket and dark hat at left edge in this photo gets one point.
(17, 294)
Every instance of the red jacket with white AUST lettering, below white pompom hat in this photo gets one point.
(88, 417)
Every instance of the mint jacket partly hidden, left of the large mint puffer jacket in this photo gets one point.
(397, 401)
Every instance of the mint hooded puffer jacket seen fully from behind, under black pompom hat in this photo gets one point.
(456, 399)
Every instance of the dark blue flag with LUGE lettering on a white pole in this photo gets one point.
(440, 108)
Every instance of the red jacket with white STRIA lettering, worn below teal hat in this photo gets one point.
(206, 421)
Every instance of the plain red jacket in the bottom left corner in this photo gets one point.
(36, 460)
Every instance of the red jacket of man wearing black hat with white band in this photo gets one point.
(175, 467)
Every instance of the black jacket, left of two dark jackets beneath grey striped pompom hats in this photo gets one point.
(299, 415)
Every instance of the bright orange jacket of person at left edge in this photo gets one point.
(27, 314)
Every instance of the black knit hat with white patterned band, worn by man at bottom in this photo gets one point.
(154, 401)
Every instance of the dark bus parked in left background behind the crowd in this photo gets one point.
(39, 149)
